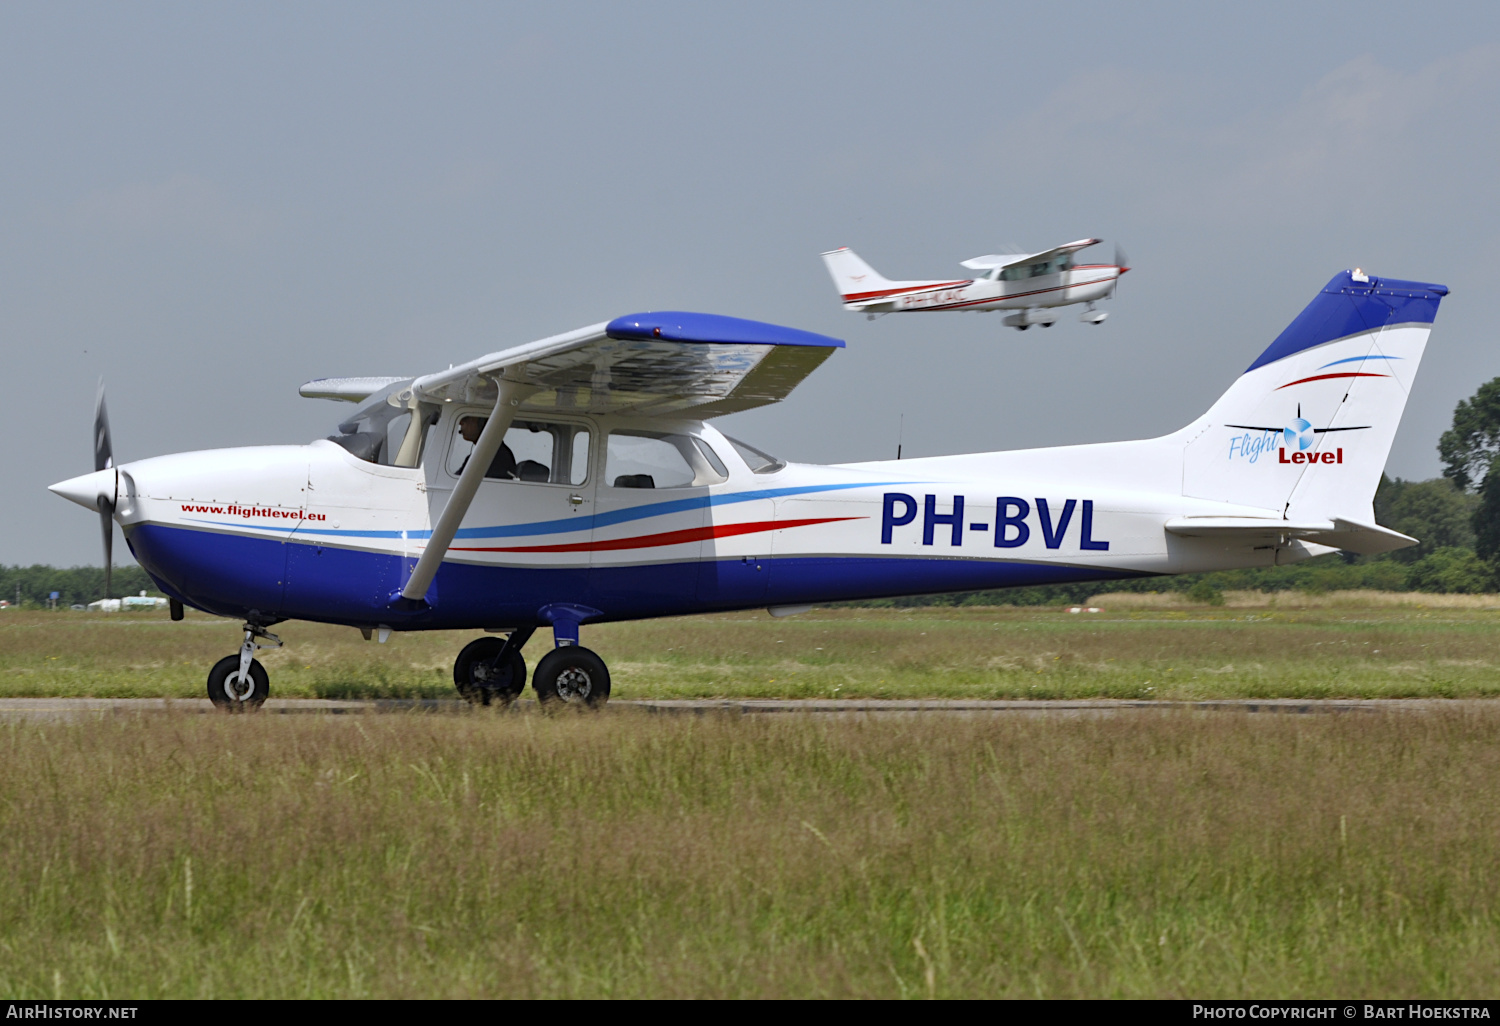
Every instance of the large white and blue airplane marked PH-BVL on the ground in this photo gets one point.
(580, 479)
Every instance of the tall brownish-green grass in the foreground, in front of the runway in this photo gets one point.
(1163, 854)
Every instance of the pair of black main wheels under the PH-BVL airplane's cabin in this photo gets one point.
(491, 671)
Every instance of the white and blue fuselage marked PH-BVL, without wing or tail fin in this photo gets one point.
(319, 533)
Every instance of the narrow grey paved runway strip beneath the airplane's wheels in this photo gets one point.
(47, 709)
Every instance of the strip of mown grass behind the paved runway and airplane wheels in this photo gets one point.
(1358, 646)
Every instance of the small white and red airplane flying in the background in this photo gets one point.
(1033, 286)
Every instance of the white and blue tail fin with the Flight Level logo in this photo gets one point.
(1306, 431)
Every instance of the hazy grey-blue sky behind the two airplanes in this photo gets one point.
(212, 203)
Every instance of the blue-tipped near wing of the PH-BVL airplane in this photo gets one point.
(661, 364)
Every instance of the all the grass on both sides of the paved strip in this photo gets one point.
(625, 854)
